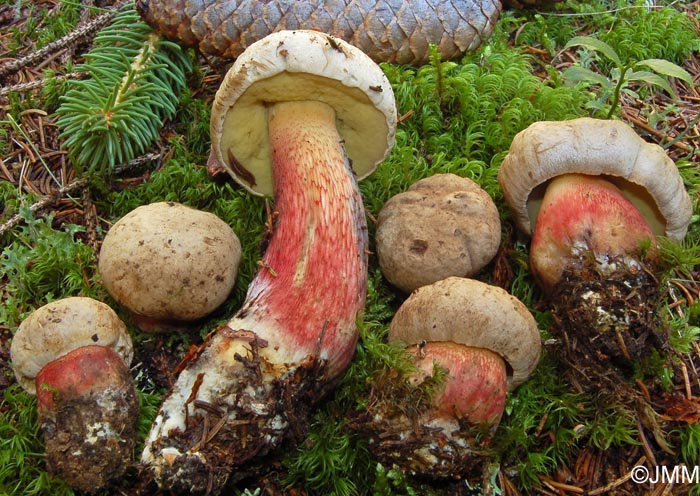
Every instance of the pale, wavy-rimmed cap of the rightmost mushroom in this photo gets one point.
(642, 171)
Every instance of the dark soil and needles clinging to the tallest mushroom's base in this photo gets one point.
(218, 435)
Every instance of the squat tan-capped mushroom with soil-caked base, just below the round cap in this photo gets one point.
(487, 342)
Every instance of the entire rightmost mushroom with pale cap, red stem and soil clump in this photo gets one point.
(594, 196)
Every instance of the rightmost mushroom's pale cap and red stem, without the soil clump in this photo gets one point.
(606, 179)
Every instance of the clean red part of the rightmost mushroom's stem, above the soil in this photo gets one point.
(585, 217)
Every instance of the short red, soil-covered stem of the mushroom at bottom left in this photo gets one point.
(88, 410)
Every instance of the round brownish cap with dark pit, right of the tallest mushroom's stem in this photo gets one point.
(443, 225)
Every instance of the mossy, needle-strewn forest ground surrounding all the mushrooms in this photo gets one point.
(570, 429)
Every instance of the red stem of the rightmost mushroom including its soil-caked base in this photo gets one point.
(588, 252)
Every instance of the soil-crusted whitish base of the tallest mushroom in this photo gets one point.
(270, 404)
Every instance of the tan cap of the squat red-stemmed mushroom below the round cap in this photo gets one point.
(472, 313)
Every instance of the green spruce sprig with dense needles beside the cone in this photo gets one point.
(117, 112)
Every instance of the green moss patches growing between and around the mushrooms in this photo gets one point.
(459, 117)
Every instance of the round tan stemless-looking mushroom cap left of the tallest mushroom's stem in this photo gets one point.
(169, 261)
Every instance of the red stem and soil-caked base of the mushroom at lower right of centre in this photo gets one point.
(437, 422)
